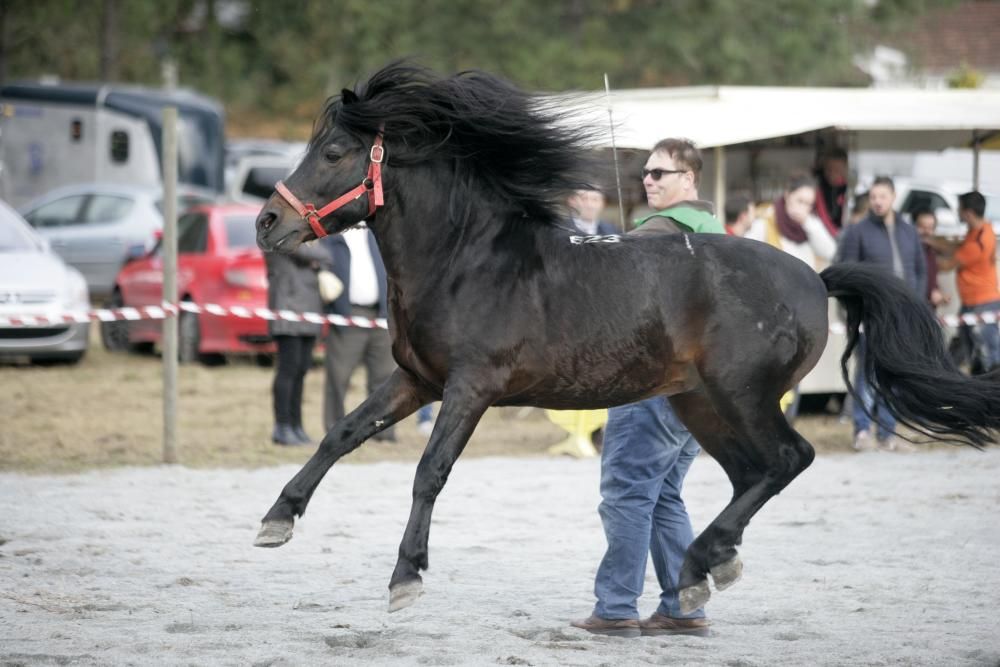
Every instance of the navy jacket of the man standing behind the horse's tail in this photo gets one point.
(868, 241)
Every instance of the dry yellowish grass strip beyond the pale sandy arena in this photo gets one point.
(107, 411)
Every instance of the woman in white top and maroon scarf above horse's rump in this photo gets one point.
(791, 226)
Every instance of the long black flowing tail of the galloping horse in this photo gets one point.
(905, 358)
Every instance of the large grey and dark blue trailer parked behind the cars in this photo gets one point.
(60, 134)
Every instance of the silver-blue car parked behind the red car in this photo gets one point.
(95, 227)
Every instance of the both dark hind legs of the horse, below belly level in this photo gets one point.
(760, 454)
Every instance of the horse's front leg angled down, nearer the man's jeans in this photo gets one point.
(461, 410)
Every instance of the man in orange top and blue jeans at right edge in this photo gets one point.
(975, 261)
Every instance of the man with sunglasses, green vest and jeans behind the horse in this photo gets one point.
(647, 450)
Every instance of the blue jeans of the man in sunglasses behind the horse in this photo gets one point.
(647, 452)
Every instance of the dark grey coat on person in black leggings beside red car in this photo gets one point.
(292, 285)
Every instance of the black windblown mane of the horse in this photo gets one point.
(518, 147)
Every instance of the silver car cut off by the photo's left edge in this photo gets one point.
(37, 283)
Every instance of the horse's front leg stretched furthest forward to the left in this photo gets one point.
(395, 399)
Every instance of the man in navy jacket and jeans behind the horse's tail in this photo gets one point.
(884, 240)
